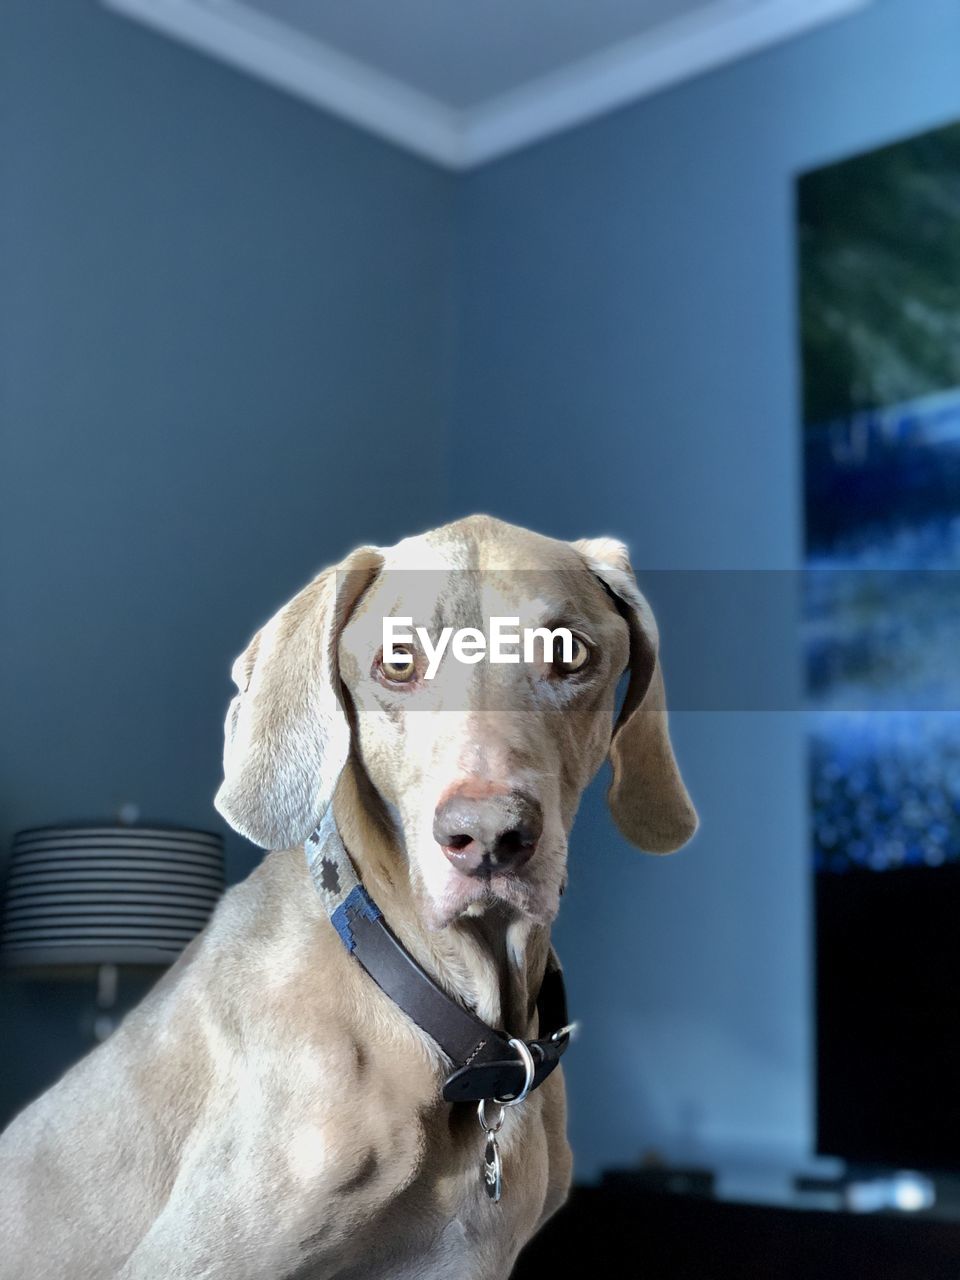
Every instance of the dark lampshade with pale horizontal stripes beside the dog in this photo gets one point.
(108, 895)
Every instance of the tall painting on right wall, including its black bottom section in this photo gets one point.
(880, 298)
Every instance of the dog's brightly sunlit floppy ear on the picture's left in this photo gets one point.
(287, 737)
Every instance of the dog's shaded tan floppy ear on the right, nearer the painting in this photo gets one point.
(648, 799)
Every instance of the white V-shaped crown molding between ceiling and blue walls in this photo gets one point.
(387, 107)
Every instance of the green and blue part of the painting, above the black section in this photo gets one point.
(880, 294)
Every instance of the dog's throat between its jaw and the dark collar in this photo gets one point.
(495, 963)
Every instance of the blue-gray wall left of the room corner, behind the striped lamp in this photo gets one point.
(221, 313)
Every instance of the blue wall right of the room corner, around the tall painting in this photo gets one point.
(629, 360)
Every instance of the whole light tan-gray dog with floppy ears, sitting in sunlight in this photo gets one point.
(268, 1113)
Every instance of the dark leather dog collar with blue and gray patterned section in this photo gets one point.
(486, 1064)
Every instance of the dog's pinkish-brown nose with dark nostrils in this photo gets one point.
(488, 834)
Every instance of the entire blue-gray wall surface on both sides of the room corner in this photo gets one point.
(222, 310)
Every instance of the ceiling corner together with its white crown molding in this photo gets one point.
(467, 81)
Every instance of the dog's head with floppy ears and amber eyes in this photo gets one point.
(478, 765)
